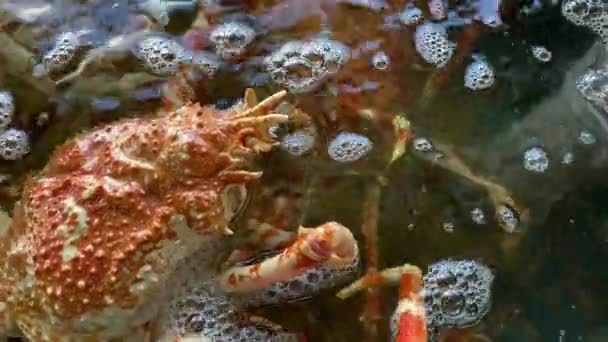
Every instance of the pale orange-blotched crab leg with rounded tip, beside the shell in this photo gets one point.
(329, 244)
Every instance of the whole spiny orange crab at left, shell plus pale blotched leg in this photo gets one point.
(122, 235)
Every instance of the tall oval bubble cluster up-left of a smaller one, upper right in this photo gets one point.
(431, 41)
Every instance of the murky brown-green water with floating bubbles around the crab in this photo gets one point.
(495, 89)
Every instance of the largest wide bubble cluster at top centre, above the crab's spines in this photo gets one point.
(303, 66)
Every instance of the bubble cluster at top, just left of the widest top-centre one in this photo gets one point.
(161, 55)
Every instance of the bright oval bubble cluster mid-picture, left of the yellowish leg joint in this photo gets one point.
(349, 147)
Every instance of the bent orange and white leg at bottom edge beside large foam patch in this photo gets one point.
(408, 323)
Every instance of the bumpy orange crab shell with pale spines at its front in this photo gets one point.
(105, 223)
